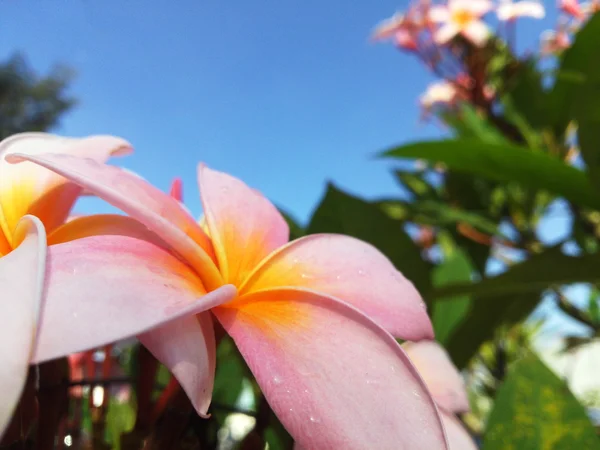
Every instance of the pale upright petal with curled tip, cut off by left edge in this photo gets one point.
(22, 282)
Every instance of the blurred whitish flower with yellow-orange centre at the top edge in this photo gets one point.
(461, 17)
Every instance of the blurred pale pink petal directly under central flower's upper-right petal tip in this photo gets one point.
(440, 375)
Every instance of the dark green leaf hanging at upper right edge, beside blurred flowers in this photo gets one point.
(574, 65)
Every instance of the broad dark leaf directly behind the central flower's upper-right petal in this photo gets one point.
(342, 213)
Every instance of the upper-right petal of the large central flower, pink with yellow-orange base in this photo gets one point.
(350, 270)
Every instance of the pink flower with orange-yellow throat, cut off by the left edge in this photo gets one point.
(34, 202)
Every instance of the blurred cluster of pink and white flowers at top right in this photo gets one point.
(455, 42)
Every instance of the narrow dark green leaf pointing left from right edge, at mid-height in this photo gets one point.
(551, 268)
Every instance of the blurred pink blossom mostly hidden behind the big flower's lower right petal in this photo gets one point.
(446, 387)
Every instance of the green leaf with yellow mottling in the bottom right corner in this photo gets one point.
(534, 409)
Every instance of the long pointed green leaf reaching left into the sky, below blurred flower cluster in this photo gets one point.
(506, 163)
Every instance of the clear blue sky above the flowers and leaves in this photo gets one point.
(283, 94)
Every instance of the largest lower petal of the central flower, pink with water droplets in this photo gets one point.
(333, 377)
